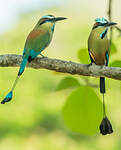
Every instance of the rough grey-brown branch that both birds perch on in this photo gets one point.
(63, 66)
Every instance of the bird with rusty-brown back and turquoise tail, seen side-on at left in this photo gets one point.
(38, 39)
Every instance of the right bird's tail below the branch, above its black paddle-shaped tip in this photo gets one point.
(102, 90)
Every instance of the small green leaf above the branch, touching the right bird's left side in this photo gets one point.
(84, 56)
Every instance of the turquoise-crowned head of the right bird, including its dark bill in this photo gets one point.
(102, 22)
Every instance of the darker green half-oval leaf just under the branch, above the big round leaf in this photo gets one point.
(68, 82)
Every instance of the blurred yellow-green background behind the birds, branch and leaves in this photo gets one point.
(33, 120)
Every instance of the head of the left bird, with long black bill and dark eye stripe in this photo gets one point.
(48, 21)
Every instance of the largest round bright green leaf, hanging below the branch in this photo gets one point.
(82, 111)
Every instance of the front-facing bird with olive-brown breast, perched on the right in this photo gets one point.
(99, 48)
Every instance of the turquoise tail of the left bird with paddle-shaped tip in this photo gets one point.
(21, 70)
